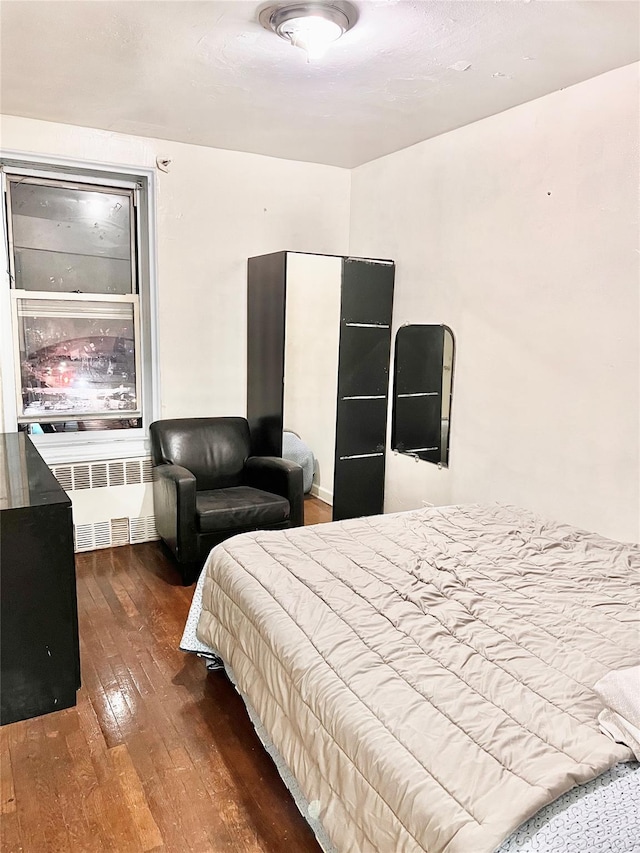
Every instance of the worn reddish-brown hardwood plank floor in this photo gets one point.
(157, 755)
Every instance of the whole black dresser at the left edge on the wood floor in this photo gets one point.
(39, 651)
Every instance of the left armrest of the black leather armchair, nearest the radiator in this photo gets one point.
(174, 499)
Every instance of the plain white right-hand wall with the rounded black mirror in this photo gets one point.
(521, 233)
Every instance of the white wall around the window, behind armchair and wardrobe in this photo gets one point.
(215, 209)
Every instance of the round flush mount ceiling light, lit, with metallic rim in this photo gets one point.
(311, 26)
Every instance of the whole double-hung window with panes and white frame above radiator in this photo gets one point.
(79, 301)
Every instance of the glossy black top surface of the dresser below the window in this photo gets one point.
(25, 479)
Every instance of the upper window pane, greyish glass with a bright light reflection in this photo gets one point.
(68, 239)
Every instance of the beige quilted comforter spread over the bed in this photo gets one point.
(428, 676)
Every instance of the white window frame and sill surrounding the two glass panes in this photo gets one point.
(99, 444)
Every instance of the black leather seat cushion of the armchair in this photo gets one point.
(238, 507)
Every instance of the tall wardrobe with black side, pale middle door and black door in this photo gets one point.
(319, 336)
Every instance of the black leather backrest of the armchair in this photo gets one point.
(213, 449)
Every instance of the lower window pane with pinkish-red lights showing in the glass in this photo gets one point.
(77, 358)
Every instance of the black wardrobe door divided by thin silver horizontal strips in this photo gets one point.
(363, 381)
